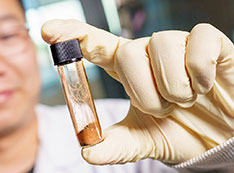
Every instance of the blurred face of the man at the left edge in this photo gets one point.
(19, 74)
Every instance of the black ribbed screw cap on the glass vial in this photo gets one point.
(66, 52)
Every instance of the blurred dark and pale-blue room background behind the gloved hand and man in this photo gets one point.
(127, 18)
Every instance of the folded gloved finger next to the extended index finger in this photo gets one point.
(133, 68)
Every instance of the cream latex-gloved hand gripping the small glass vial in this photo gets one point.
(181, 87)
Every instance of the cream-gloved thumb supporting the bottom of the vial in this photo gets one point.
(124, 142)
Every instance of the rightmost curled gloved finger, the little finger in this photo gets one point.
(207, 47)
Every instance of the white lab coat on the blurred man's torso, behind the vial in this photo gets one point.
(59, 150)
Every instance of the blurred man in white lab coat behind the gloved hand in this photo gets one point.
(34, 137)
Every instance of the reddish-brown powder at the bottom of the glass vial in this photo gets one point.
(89, 135)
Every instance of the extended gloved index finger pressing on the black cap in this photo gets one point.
(98, 46)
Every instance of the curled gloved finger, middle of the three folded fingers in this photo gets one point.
(167, 53)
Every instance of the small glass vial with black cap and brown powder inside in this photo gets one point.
(67, 56)
